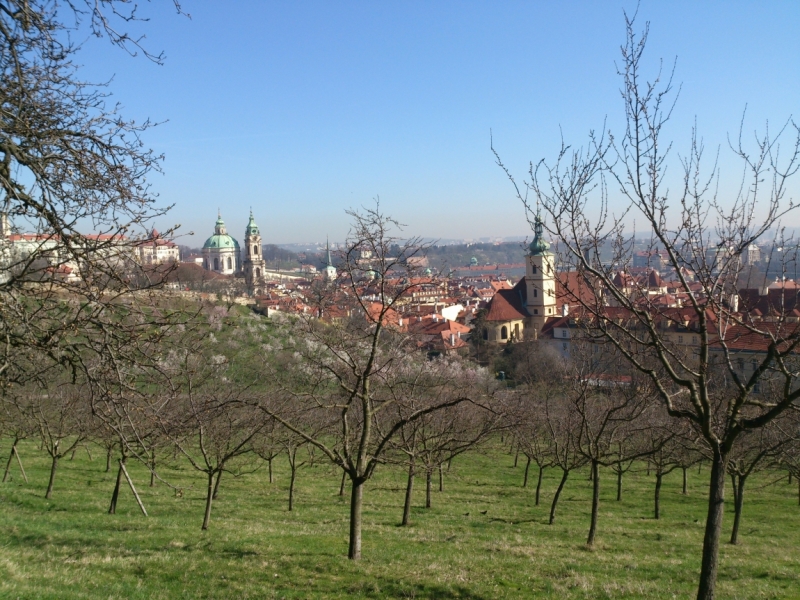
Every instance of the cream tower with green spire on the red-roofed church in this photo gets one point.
(540, 279)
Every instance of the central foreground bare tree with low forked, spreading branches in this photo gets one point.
(352, 364)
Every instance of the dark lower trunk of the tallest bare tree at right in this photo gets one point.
(716, 508)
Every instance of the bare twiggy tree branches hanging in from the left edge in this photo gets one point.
(69, 161)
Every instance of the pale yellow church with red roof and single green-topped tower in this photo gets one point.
(521, 312)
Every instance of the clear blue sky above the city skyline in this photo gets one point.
(301, 110)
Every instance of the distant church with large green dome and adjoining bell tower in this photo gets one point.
(222, 254)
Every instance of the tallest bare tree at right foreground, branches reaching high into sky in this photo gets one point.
(702, 236)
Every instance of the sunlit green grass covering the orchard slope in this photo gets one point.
(70, 548)
